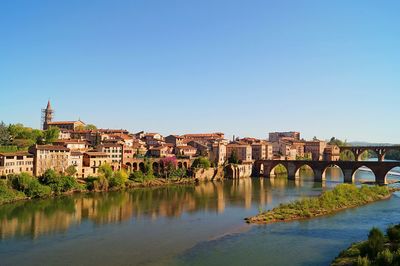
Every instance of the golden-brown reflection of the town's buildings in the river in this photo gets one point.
(57, 215)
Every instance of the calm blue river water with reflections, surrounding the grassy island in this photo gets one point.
(193, 225)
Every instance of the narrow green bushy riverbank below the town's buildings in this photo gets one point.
(10, 195)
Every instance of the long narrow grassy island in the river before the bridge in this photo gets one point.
(341, 197)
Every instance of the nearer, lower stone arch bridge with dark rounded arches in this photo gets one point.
(380, 169)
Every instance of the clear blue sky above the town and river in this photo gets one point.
(325, 68)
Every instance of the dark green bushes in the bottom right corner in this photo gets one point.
(379, 250)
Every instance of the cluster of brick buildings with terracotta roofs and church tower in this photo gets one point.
(88, 149)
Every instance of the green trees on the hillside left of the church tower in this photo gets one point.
(15, 137)
